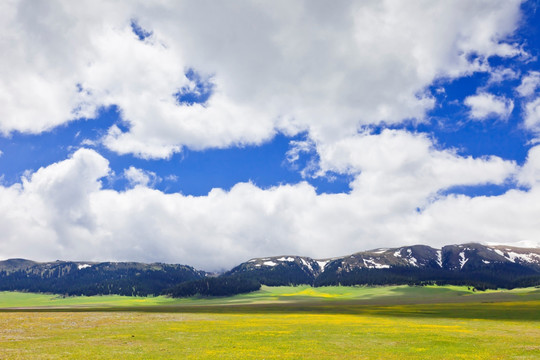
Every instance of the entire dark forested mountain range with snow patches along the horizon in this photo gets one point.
(477, 265)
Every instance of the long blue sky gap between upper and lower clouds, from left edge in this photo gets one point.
(190, 172)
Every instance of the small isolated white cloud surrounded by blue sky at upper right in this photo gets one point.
(485, 105)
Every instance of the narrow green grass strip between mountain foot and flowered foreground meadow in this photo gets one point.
(280, 295)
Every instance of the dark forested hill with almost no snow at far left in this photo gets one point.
(90, 278)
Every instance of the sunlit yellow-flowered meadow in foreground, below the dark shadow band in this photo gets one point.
(140, 335)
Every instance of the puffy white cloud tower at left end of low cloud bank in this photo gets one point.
(50, 210)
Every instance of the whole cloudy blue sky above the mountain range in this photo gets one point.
(210, 132)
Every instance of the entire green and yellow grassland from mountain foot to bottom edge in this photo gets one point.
(277, 323)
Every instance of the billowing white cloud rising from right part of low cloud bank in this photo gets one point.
(407, 167)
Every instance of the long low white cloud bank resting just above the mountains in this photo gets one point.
(61, 211)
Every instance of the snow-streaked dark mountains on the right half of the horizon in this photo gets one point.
(474, 264)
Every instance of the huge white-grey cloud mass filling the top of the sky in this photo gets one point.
(321, 67)
